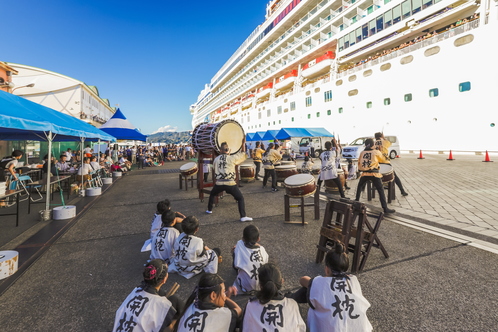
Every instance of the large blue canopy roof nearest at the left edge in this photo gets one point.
(22, 119)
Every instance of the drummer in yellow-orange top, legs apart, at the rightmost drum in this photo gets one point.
(368, 164)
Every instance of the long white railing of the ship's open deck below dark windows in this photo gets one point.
(421, 44)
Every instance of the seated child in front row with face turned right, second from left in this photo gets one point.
(209, 309)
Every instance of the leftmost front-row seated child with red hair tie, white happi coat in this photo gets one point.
(147, 308)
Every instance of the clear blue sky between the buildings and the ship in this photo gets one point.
(152, 58)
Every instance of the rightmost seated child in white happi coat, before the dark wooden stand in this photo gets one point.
(329, 296)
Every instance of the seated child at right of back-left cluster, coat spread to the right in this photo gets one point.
(191, 256)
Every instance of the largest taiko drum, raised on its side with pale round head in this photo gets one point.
(207, 137)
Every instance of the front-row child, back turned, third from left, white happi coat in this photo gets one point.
(270, 310)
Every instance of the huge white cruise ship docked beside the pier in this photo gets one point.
(423, 70)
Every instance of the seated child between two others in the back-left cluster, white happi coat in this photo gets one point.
(164, 239)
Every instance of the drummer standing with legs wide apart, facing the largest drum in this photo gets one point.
(224, 172)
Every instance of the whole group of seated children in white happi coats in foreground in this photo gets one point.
(335, 300)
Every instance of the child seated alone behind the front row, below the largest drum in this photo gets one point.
(248, 256)
